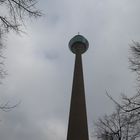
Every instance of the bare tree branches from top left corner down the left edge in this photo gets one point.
(13, 14)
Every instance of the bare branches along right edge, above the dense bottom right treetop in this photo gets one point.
(132, 104)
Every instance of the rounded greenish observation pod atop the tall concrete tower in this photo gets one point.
(78, 44)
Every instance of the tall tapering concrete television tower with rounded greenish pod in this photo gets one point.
(77, 127)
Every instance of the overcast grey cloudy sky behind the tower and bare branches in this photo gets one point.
(40, 65)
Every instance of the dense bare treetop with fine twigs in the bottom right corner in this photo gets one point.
(118, 126)
